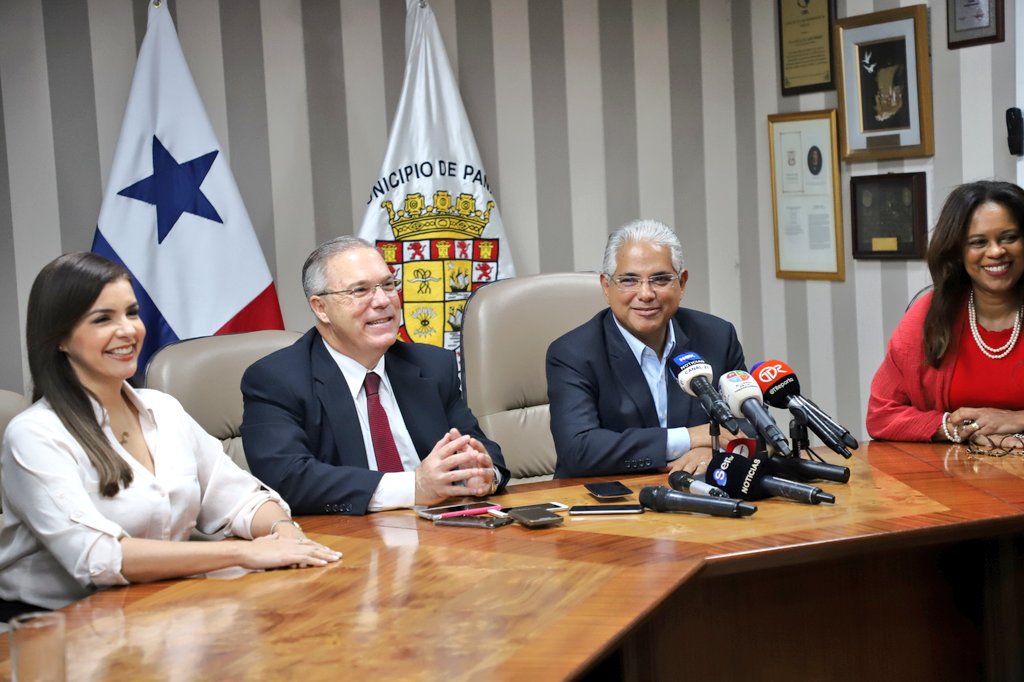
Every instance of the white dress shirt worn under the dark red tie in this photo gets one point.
(397, 490)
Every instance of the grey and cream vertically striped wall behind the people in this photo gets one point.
(588, 113)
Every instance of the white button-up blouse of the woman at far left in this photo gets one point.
(61, 537)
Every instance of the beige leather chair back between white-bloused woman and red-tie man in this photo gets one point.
(205, 375)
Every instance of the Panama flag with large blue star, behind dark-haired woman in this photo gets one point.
(173, 214)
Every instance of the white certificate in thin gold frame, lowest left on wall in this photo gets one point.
(805, 196)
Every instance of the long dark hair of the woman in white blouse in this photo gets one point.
(61, 296)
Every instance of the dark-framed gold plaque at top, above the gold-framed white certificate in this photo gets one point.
(805, 50)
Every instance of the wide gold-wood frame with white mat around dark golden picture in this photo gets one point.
(885, 86)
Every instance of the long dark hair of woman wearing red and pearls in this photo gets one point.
(946, 258)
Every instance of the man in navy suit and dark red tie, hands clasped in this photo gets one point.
(347, 420)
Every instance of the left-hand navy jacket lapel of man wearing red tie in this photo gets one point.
(337, 404)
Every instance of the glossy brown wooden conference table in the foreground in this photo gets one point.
(915, 574)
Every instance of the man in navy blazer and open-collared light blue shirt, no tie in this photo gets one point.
(614, 409)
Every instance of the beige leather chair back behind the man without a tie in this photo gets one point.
(507, 328)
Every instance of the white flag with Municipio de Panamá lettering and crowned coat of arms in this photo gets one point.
(431, 210)
